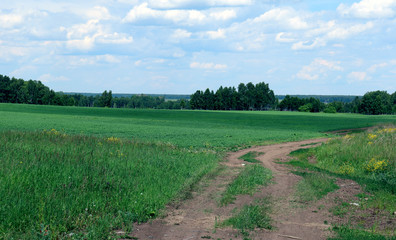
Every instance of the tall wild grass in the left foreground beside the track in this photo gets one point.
(55, 186)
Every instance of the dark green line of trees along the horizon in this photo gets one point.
(255, 97)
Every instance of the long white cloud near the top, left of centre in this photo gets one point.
(178, 16)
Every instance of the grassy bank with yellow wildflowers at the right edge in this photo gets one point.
(370, 155)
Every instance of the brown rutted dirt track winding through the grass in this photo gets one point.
(196, 218)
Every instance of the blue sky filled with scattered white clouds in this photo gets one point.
(327, 47)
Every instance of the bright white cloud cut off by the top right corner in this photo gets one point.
(369, 9)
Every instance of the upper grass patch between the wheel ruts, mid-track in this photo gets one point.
(247, 182)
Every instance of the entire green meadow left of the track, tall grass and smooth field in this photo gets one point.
(79, 173)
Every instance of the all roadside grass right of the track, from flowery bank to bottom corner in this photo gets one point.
(369, 158)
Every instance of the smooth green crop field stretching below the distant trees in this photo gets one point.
(196, 129)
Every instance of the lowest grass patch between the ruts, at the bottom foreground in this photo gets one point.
(251, 216)
